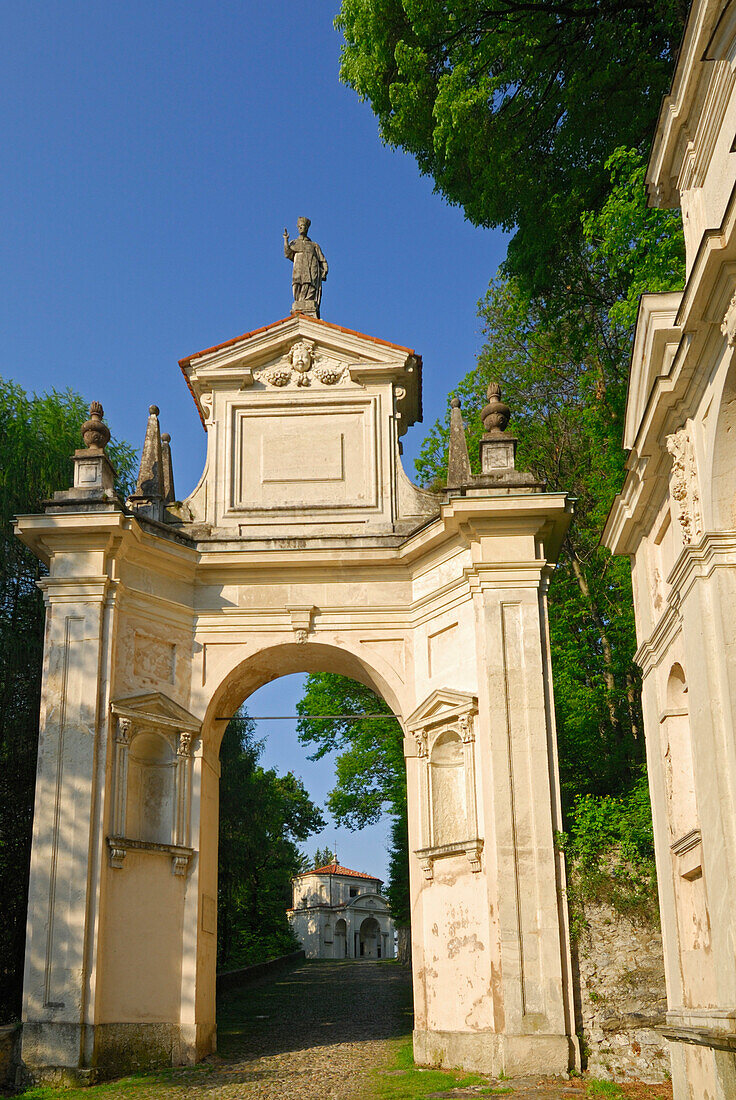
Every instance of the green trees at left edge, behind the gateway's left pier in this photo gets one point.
(38, 437)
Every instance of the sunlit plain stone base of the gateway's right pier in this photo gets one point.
(493, 1054)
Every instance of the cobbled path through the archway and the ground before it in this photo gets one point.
(321, 1032)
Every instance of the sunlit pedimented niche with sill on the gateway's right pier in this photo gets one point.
(444, 732)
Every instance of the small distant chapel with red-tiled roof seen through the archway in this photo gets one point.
(339, 915)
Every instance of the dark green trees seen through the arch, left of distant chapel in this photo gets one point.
(262, 818)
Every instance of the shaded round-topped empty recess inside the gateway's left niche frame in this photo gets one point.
(151, 789)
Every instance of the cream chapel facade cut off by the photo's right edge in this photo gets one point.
(676, 520)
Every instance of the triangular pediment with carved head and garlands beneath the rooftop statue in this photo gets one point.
(340, 355)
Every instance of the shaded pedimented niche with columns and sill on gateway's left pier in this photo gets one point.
(155, 743)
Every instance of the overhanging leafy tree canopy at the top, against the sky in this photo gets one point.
(513, 107)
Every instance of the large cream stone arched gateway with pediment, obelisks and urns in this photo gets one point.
(304, 547)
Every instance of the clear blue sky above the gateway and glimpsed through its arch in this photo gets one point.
(153, 153)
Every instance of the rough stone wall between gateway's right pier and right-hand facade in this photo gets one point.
(621, 997)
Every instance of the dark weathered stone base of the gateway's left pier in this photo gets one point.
(53, 1053)
